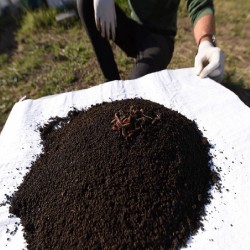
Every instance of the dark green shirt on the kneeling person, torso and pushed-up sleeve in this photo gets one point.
(161, 15)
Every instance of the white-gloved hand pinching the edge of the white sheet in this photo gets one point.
(209, 61)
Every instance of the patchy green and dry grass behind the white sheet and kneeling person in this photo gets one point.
(44, 57)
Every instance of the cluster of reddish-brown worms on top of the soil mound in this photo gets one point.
(131, 123)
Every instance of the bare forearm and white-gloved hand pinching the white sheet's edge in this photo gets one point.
(209, 61)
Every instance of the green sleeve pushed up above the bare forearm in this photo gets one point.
(199, 8)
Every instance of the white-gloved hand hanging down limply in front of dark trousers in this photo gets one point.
(105, 17)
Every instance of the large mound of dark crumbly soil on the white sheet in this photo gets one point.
(100, 186)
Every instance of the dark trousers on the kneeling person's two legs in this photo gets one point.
(152, 51)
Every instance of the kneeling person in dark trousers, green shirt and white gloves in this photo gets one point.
(148, 35)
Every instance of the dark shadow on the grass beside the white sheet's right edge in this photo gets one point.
(238, 87)
